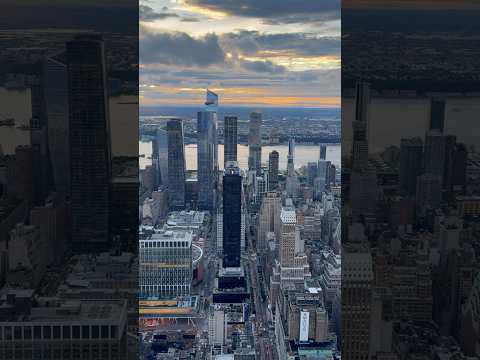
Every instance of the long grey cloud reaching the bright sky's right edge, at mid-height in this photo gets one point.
(250, 42)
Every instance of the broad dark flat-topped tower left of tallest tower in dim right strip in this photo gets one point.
(411, 164)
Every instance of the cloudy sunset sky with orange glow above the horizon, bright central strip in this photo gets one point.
(252, 52)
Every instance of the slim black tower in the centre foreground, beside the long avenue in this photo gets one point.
(232, 213)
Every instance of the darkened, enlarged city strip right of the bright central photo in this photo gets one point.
(410, 142)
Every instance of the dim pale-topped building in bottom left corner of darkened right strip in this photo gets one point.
(357, 281)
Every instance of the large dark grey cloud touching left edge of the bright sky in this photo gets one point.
(180, 49)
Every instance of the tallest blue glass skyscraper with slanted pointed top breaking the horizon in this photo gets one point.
(207, 160)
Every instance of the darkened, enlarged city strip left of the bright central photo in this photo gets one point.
(68, 179)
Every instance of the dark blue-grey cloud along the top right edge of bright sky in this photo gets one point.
(288, 11)
